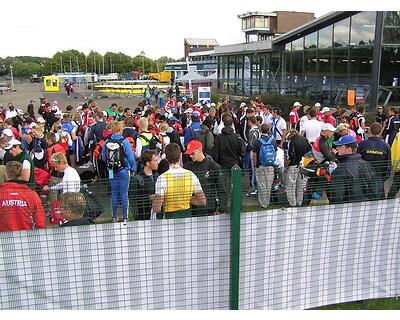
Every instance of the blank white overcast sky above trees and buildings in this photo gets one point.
(43, 27)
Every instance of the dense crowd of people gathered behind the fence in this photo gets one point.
(174, 159)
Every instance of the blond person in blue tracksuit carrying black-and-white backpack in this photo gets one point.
(120, 160)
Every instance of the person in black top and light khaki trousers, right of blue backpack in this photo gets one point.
(298, 146)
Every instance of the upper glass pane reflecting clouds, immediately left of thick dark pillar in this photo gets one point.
(363, 28)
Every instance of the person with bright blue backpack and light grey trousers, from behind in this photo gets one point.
(264, 155)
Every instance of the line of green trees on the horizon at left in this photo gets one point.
(76, 61)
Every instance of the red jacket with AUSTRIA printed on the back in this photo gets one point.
(20, 208)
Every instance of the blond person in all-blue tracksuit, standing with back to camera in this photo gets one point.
(119, 179)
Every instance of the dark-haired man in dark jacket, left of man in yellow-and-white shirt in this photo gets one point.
(142, 186)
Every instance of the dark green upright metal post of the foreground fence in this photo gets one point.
(236, 206)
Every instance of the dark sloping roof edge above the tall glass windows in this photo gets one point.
(313, 25)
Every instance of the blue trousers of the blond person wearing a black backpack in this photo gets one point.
(119, 190)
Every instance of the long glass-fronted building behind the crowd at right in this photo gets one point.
(322, 59)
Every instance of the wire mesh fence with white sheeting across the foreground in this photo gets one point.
(249, 258)
